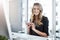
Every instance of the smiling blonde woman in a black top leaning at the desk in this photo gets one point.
(38, 23)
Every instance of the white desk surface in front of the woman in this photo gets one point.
(20, 36)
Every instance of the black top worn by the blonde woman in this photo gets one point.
(42, 28)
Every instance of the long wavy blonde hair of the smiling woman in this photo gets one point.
(39, 16)
